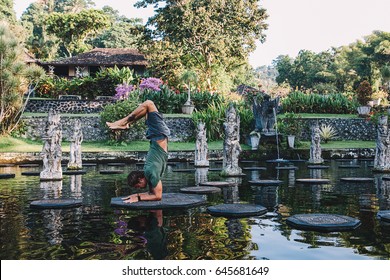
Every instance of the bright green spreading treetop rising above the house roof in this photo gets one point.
(74, 29)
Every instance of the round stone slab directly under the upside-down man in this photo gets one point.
(169, 200)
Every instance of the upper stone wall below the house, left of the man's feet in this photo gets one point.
(66, 106)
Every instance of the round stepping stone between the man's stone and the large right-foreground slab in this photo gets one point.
(237, 210)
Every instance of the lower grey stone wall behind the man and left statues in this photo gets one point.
(182, 129)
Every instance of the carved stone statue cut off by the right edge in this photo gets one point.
(382, 151)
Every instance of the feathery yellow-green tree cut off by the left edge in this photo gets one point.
(16, 78)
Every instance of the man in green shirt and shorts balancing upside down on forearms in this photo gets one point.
(156, 159)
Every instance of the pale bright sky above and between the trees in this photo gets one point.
(294, 25)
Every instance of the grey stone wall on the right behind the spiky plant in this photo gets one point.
(347, 129)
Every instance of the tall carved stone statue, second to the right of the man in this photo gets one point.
(231, 145)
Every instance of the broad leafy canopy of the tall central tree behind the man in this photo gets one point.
(215, 37)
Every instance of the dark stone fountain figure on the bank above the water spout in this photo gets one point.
(264, 114)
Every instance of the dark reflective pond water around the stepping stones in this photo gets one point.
(98, 231)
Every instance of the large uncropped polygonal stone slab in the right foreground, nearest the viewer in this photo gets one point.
(323, 222)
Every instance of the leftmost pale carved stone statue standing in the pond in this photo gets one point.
(52, 151)
